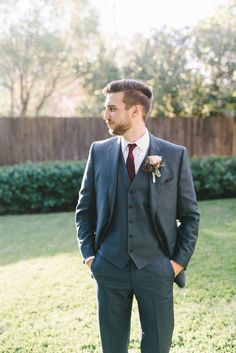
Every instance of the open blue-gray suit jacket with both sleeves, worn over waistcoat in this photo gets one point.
(172, 197)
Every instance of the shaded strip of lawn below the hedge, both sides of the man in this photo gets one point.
(24, 237)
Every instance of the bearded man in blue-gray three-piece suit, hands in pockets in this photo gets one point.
(137, 221)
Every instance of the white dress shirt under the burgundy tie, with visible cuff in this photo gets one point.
(139, 153)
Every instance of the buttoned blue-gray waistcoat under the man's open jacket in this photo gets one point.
(131, 233)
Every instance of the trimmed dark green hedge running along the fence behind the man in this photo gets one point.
(54, 186)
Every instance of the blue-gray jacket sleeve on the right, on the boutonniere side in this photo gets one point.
(187, 214)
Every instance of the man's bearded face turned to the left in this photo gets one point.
(117, 118)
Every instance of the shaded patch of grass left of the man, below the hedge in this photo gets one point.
(24, 237)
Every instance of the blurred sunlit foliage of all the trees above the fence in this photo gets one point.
(54, 61)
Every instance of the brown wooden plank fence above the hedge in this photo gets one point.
(40, 139)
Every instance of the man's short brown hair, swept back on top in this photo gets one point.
(135, 92)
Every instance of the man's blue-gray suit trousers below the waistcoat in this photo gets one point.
(152, 287)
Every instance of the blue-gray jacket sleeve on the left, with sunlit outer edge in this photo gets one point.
(85, 217)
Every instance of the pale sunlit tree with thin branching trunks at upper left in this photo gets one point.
(41, 54)
